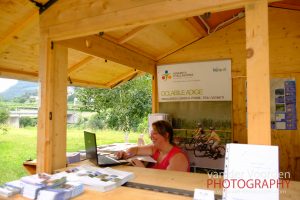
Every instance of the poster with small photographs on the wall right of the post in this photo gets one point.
(283, 104)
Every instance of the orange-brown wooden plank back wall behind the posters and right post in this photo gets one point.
(229, 42)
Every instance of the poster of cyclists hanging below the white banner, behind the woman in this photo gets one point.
(201, 129)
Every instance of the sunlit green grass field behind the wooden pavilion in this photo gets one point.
(19, 145)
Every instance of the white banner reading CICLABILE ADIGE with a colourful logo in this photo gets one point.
(195, 81)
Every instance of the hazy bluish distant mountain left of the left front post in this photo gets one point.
(20, 89)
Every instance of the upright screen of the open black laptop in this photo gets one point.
(90, 146)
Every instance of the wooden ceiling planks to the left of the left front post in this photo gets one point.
(19, 39)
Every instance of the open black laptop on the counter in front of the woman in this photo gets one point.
(98, 159)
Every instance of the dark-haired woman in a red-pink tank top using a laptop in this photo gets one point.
(167, 155)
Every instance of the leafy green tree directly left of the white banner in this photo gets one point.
(123, 107)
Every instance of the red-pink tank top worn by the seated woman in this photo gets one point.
(165, 162)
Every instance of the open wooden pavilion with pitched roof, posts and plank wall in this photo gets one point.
(101, 43)
